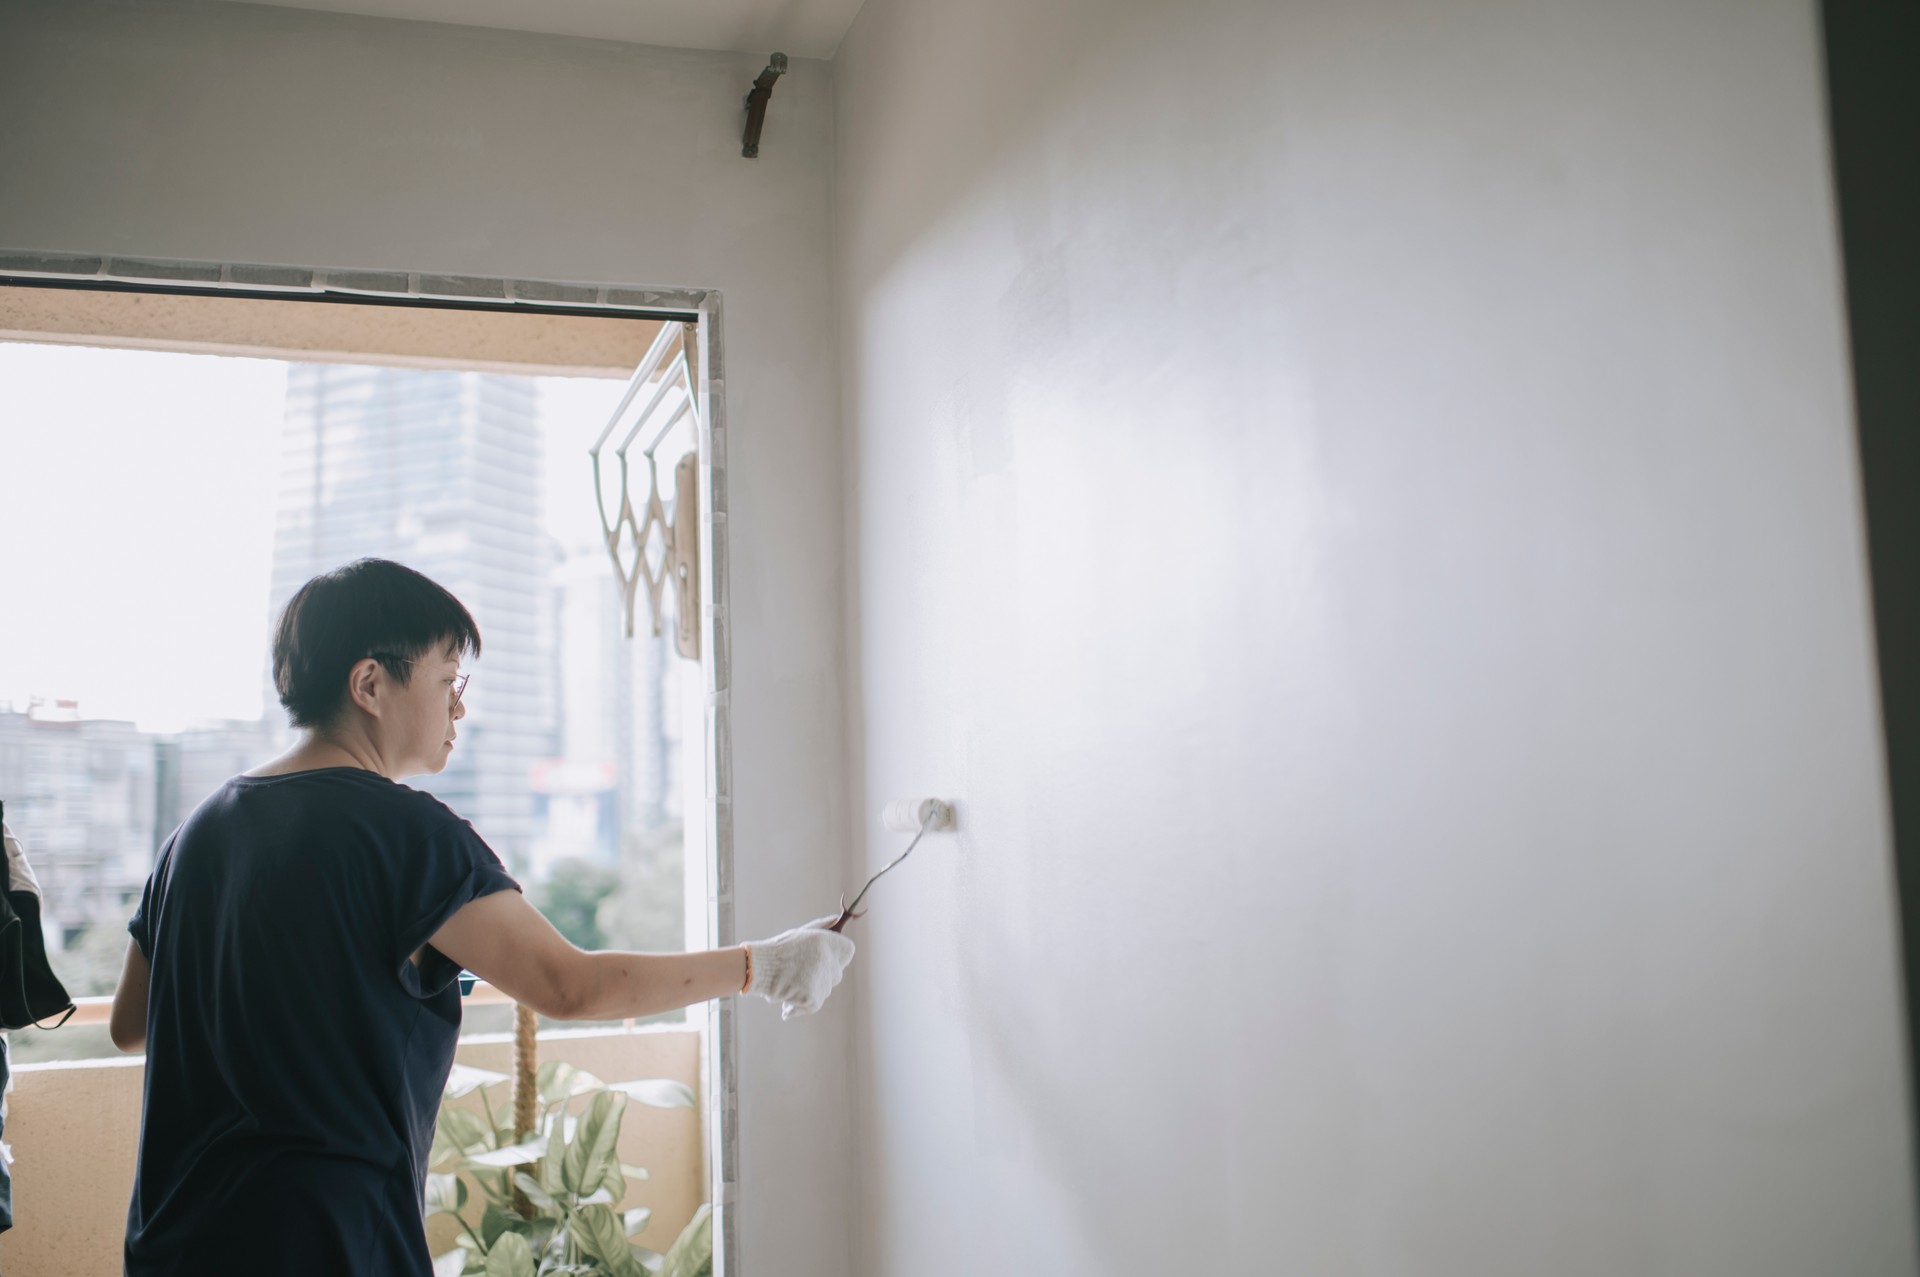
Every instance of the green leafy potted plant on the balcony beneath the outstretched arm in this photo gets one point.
(567, 1174)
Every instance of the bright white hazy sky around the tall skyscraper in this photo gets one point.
(137, 523)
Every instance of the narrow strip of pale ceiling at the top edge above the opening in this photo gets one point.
(794, 28)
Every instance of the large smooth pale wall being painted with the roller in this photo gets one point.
(1358, 502)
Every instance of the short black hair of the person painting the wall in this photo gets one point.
(370, 608)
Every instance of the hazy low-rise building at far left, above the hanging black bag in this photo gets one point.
(82, 798)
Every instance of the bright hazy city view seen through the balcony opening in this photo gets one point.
(164, 510)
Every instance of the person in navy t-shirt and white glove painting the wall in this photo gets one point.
(295, 955)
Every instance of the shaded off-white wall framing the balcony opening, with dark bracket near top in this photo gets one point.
(237, 133)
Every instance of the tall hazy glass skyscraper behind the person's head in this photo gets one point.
(439, 471)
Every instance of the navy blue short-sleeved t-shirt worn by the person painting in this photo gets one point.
(295, 1053)
